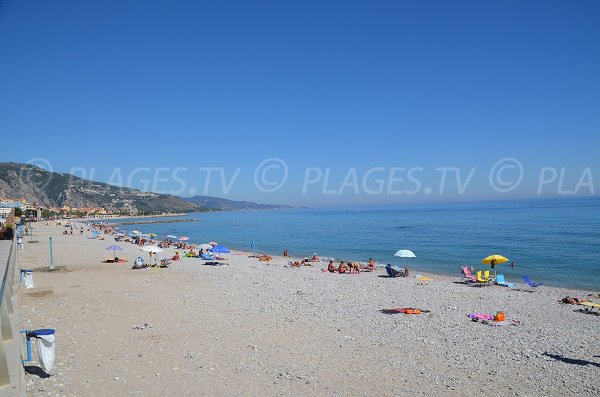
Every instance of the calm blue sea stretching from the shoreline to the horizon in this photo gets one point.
(553, 241)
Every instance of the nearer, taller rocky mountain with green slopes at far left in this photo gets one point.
(57, 190)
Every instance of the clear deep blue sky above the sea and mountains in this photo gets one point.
(307, 102)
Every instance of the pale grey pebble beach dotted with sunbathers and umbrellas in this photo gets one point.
(253, 328)
